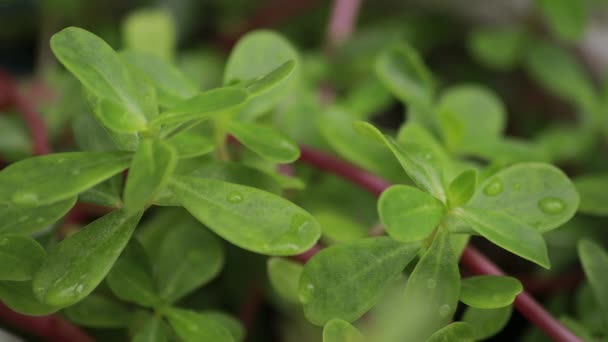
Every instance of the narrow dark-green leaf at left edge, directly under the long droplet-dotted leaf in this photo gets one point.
(18, 220)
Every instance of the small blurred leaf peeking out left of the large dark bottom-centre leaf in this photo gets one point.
(284, 276)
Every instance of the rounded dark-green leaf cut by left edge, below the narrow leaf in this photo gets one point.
(20, 257)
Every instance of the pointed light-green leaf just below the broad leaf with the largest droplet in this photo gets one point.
(507, 232)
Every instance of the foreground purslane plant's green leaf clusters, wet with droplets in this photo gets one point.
(151, 120)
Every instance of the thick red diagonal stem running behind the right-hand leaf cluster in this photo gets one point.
(471, 258)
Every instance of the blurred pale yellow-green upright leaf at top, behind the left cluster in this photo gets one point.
(152, 31)
